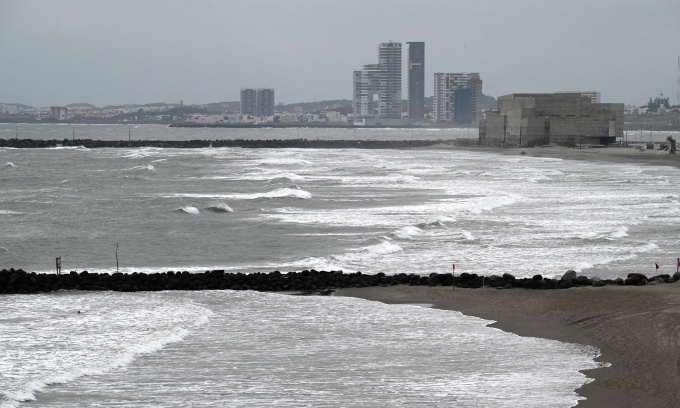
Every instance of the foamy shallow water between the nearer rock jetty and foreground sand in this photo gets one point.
(238, 349)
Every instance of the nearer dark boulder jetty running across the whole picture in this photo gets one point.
(307, 281)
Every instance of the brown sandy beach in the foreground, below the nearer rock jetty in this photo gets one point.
(637, 330)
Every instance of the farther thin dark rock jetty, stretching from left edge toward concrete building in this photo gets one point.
(243, 143)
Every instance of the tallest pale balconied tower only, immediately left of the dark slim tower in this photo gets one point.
(389, 59)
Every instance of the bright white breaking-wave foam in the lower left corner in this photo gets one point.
(57, 338)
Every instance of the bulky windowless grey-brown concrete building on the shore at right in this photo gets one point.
(567, 119)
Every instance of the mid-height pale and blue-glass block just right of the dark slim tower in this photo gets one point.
(457, 97)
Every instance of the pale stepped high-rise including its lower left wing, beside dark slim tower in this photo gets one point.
(377, 87)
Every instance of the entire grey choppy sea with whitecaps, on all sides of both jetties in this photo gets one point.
(391, 211)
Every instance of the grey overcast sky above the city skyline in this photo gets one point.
(142, 51)
